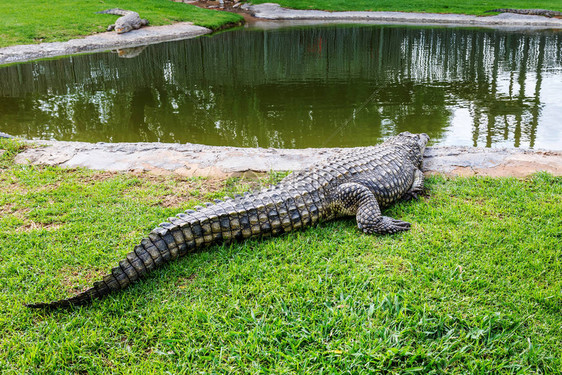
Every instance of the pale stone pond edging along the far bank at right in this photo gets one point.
(272, 11)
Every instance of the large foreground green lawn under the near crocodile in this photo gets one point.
(474, 287)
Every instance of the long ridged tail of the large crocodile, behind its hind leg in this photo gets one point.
(271, 212)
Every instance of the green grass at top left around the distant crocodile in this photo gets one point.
(31, 21)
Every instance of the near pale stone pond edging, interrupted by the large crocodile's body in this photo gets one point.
(215, 161)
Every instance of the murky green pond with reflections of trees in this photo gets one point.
(321, 86)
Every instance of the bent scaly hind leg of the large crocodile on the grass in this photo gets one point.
(359, 200)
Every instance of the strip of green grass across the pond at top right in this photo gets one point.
(477, 7)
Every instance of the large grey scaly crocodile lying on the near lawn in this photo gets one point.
(359, 182)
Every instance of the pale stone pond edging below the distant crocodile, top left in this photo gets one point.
(102, 42)
